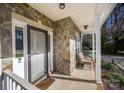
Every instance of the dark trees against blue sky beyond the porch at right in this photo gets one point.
(113, 30)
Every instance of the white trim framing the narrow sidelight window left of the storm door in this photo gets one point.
(23, 25)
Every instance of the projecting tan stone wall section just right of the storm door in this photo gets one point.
(66, 30)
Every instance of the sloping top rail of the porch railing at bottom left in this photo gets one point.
(20, 81)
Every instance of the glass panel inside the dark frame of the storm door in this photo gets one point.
(37, 54)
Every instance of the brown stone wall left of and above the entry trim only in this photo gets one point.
(6, 25)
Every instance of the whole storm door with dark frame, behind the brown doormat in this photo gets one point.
(37, 53)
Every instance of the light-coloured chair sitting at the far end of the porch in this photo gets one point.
(83, 60)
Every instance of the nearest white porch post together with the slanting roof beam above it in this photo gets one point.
(99, 20)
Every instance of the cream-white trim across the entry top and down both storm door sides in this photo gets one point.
(18, 19)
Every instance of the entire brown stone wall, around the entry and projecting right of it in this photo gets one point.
(64, 30)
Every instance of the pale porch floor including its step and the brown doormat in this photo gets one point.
(82, 79)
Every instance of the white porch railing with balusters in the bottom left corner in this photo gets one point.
(11, 81)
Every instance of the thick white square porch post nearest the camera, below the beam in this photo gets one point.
(98, 49)
